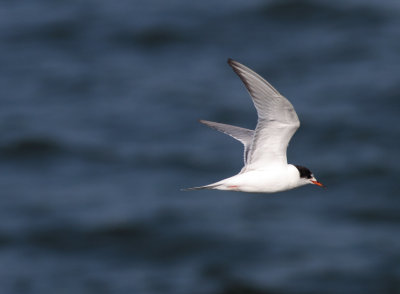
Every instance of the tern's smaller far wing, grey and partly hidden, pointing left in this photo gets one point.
(245, 136)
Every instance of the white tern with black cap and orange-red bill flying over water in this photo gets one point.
(265, 169)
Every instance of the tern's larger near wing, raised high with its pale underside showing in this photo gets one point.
(277, 120)
